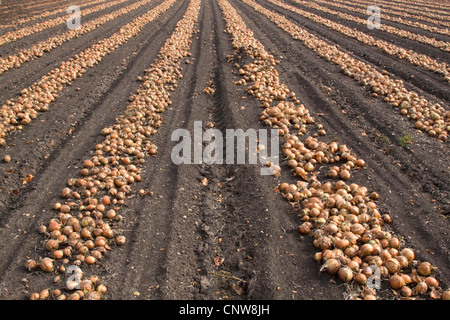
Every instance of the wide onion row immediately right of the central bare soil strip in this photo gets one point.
(342, 217)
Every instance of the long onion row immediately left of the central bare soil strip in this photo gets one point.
(87, 223)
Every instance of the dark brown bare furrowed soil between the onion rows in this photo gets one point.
(212, 232)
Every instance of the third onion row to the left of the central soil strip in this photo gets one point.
(39, 49)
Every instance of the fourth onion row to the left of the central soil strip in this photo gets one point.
(47, 24)
